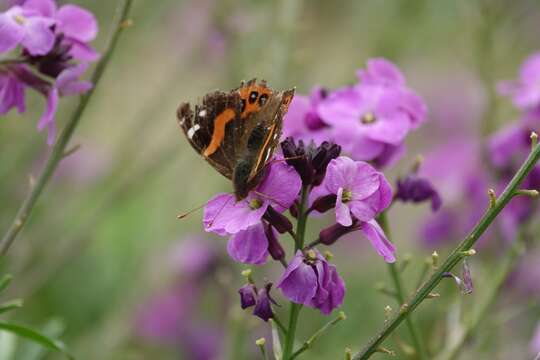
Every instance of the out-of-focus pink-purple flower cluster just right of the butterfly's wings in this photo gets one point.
(370, 119)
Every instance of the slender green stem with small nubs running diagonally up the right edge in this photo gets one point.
(455, 257)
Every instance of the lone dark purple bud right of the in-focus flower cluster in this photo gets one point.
(417, 190)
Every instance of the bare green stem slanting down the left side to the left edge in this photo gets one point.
(59, 148)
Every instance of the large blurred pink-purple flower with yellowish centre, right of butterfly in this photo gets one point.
(371, 119)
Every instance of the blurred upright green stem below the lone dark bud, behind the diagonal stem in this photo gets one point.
(416, 337)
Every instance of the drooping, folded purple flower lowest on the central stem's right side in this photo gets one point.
(310, 280)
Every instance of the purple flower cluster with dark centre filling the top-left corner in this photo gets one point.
(53, 51)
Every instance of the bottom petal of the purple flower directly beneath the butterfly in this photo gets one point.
(249, 246)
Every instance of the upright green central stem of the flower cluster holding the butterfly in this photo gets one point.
(299, 244)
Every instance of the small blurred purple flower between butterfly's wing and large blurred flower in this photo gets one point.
(303, 122)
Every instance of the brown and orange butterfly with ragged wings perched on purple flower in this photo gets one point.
(237, 131)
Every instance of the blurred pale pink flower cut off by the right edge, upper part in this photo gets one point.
(525, 91)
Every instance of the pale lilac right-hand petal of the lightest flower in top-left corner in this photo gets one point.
(39, 38)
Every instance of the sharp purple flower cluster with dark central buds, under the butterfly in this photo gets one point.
(354, 189)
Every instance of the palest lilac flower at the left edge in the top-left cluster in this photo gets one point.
(25, 26)
